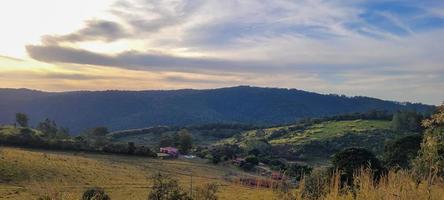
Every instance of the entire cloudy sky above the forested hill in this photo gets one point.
(392, 49)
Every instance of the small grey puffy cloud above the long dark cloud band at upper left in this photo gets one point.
(107, 31)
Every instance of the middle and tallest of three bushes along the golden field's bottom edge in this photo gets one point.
(166, 188)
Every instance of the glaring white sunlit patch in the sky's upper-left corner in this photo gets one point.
(24, 22)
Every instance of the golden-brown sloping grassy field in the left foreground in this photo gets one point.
(26, 174)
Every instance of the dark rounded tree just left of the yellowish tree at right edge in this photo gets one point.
(399, 153)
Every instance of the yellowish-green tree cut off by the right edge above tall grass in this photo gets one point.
(430, 161)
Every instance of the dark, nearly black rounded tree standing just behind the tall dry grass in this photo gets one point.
(348, 161)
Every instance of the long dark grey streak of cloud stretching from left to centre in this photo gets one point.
(135, 60)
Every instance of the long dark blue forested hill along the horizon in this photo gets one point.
(134, 109)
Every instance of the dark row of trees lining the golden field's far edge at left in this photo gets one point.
(51, 136)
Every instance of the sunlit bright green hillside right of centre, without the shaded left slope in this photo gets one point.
(315, 143)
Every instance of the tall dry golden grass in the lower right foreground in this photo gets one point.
(395, 185)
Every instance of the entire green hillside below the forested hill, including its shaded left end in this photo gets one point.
(312, 142)
